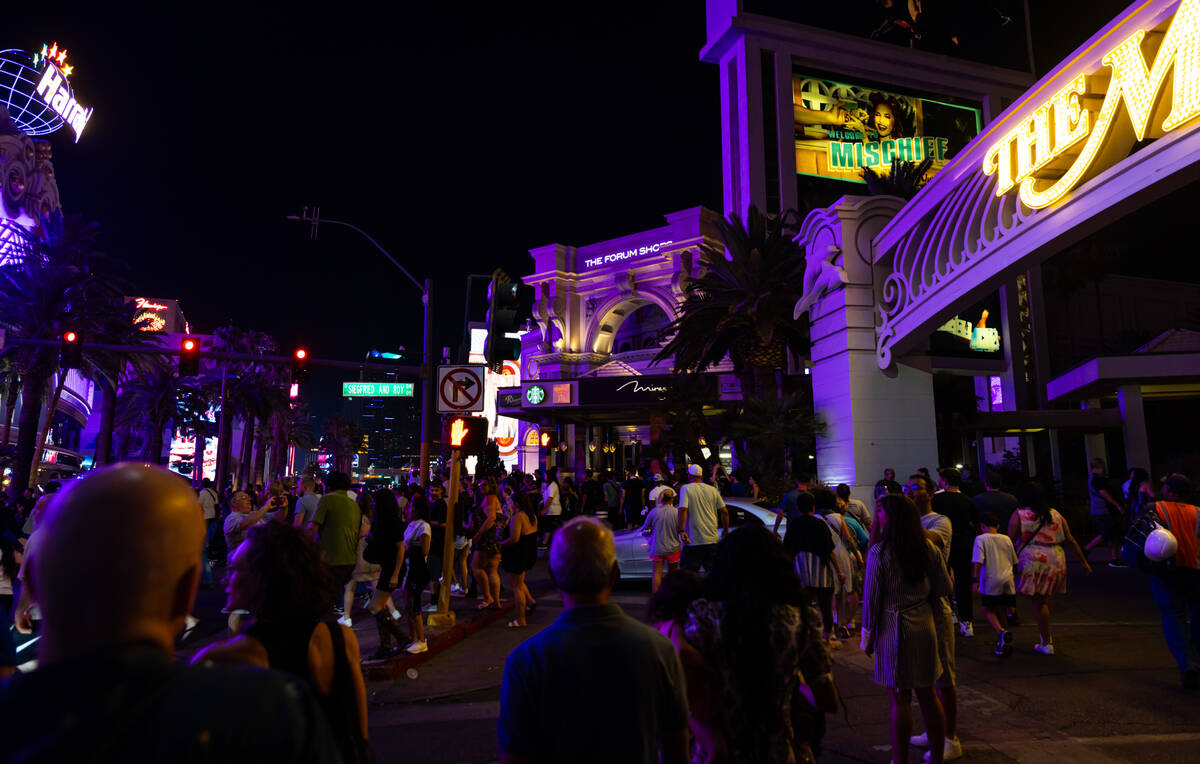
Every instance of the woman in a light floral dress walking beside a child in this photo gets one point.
(1040, 533)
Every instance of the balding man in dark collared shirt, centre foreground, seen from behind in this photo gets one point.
(597, 685)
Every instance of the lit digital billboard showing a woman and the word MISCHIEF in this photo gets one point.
(843, 129)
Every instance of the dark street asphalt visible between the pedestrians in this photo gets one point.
(1109, 695)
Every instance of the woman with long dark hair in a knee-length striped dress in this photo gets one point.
(905, 576)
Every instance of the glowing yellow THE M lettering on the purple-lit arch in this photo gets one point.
(1052, 151)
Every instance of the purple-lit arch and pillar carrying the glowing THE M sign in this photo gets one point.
(1108, 131)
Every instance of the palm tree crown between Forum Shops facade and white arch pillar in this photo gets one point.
(742, 305)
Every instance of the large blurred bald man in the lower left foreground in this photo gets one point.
(106, 689)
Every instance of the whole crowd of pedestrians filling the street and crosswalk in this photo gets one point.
(735, 666)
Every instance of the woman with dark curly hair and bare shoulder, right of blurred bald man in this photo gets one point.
(280, 579)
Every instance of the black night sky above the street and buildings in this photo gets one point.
(459, 135)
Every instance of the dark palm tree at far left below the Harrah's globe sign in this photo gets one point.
(62, 286)
